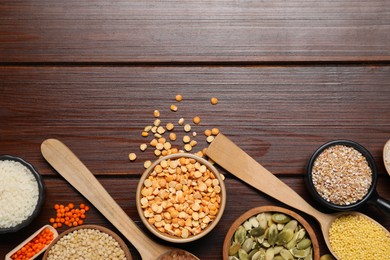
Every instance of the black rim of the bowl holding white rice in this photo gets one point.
(41, 192)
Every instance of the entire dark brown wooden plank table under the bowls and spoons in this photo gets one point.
(289, 76)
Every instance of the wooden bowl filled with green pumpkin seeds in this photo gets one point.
(270, 232)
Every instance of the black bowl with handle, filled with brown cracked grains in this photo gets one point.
(342, 175)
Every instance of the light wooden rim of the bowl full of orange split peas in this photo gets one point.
(168, 237)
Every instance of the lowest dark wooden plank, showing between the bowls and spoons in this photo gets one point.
(241, 198)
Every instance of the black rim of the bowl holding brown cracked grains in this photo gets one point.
(371, 163)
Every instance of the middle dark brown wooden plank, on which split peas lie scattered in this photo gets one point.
(279, 115)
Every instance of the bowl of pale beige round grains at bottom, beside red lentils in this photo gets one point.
(88, 242)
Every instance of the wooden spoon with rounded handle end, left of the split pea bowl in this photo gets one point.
(77, 174)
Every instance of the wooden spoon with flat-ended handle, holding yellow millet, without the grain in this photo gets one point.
(228, 155)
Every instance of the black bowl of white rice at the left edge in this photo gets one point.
(21, 193)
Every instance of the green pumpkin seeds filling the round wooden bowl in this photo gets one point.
(270, 236)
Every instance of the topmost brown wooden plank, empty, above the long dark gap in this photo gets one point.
(194, 31)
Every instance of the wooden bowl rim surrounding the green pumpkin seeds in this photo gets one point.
(274, 209)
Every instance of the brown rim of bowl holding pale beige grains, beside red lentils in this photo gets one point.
(121, 243)
